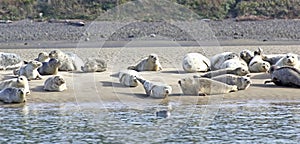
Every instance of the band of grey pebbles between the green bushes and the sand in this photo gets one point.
(229, 29)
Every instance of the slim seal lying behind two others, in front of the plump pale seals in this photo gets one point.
(237, 71)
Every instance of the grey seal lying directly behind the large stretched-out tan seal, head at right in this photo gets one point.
(242, 82)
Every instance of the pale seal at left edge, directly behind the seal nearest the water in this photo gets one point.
(20, 82)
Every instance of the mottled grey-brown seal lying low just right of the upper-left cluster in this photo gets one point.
(94, 65)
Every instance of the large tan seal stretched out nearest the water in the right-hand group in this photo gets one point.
(204, 86)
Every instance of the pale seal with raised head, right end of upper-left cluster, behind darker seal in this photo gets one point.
(67, 63)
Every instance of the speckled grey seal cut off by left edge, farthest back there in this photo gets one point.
(10, 61)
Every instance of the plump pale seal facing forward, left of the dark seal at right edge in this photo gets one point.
(257, 64)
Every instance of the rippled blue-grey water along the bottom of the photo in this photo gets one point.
(115, 123)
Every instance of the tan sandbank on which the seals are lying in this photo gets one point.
(103, 88)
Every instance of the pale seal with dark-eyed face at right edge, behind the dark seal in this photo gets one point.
(289, 59)
